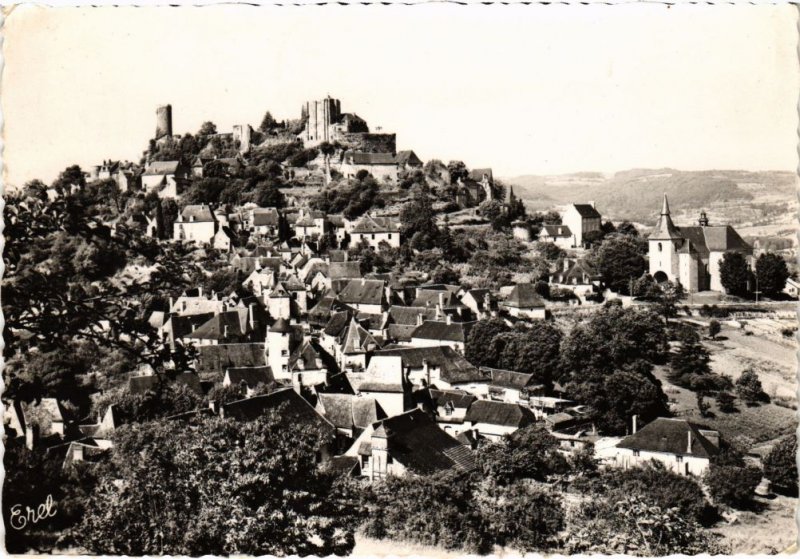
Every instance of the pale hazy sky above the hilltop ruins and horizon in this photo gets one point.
(523, 89)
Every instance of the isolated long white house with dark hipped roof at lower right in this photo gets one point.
(679, 445)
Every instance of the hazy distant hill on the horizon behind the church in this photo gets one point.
(737, 197)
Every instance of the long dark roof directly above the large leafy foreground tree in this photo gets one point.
(293, 409)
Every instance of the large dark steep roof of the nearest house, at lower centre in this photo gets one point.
(415, 440)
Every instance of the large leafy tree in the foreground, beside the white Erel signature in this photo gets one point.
(180, 488)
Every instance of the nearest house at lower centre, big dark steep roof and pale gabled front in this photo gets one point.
(408, 444)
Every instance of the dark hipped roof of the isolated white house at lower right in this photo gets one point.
(670, 436)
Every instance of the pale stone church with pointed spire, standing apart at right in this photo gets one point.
(691, 255)
